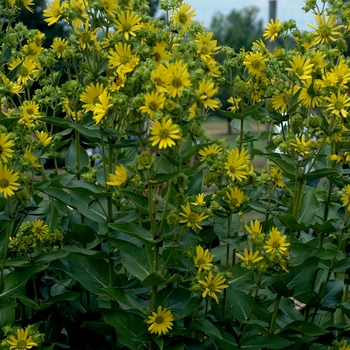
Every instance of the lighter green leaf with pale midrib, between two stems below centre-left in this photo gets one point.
(134, 259)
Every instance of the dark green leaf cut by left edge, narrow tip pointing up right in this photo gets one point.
(14, 283)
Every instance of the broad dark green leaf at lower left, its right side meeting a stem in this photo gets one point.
(91, 273)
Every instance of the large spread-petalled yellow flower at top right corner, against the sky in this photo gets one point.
(325, 32)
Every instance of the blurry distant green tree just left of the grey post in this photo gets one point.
(237, 29)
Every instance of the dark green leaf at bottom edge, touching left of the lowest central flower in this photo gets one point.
(128, 326)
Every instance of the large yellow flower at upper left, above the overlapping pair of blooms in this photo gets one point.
(122, 58)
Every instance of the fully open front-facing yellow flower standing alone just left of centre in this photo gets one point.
(164, 133)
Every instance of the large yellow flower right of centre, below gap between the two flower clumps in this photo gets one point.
(236, 165)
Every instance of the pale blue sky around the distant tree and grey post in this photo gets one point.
(286, 9)
